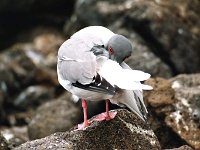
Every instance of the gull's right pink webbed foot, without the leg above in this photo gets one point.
(105, 116)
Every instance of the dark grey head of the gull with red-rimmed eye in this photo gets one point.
(119, 48)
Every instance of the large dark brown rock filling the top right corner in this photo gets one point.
(169, 35)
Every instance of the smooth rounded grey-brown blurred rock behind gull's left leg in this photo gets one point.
(54, 116)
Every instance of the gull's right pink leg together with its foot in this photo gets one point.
(106, 115)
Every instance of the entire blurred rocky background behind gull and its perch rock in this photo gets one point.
(166, 40)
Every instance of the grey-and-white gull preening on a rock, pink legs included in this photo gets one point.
(91, 66)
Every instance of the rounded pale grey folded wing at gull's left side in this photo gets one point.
(76, 62)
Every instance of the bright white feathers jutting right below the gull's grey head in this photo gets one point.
(123, 78)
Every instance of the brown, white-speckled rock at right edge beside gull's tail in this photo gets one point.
(176, 103)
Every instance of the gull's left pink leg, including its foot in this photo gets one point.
(85, 123)
